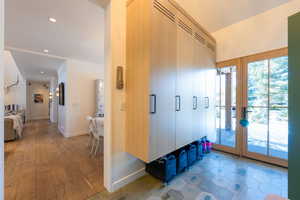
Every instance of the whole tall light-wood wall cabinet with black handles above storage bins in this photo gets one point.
(169, 79)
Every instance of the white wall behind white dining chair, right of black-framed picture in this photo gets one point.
(82, 78)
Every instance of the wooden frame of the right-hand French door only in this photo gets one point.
(245, 60)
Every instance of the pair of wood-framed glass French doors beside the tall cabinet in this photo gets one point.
(254, 88)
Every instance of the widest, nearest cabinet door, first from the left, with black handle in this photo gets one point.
(163, 83)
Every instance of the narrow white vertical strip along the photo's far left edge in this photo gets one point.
(1, 99)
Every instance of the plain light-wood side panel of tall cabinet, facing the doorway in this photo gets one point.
(137, 79)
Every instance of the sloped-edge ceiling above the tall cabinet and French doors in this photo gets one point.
(214, 15)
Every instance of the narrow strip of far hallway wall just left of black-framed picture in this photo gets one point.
(54, 101)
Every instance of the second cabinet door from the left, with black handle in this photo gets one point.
(184, 90)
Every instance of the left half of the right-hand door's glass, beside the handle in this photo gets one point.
(258, 107)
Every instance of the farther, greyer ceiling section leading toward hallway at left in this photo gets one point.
(31, 65)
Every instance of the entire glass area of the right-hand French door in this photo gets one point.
(267, 108)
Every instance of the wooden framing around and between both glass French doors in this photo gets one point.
(242, 96)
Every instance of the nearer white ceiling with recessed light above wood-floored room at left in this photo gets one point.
(78, 32)
